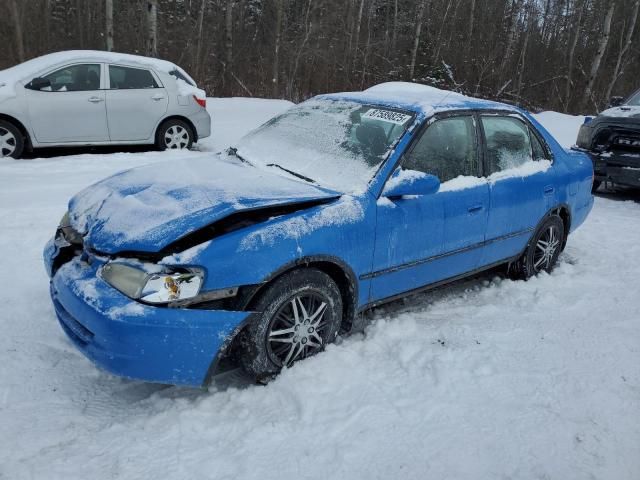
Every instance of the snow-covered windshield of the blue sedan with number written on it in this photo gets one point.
(338, 144)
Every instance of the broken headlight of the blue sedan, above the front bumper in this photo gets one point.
(166, 286)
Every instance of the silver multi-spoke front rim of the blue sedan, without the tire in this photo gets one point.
(297, 329)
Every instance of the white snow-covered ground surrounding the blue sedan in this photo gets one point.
(487, 379)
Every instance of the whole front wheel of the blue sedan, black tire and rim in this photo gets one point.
(277, 336)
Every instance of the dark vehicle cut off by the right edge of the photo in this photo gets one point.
(612, 140)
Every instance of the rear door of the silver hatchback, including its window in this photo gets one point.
(136, 101)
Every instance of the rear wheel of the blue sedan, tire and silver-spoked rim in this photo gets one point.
(542, 251)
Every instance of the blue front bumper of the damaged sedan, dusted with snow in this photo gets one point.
(130, 339)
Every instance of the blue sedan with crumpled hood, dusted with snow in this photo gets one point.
(265, 253)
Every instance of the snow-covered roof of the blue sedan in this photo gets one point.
(419, 98)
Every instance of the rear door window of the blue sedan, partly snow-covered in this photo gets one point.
(508, 143)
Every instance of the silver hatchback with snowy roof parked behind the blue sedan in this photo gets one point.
(99, 98)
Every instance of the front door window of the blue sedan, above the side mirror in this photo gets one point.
(446, 149)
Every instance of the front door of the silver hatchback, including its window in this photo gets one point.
(68, 105)
